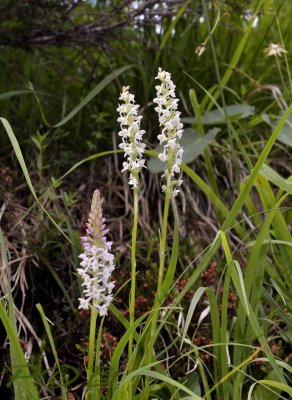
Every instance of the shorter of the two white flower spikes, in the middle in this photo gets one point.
(131, 136)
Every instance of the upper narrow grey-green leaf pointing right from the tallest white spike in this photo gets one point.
(234, 112)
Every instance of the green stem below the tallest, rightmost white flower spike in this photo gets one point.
(158, 298)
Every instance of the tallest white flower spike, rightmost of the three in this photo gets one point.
(172, 128)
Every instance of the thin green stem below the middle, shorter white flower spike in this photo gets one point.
(133, 285)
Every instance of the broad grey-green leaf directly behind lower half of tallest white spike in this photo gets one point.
(193, 145)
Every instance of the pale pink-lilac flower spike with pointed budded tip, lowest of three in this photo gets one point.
(97, 262)
